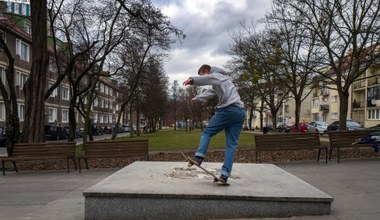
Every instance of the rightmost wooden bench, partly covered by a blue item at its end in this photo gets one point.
(345, 139)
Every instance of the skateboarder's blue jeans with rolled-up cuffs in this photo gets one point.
(230, 119)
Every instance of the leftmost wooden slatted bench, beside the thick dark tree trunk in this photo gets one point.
(41, 151)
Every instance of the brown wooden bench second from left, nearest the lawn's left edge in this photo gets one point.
(114, 149)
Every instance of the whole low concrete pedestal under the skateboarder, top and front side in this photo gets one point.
(171, 190)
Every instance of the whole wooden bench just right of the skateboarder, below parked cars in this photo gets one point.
(288, 142)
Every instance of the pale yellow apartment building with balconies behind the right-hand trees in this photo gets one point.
(323, 103)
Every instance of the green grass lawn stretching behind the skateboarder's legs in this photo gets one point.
(168, 139)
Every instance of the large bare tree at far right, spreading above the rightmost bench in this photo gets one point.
(347, 36)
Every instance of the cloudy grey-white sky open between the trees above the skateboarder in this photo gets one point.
(208, 25)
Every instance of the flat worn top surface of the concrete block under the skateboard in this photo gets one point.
(175, 179)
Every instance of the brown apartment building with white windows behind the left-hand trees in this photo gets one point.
(16, 35)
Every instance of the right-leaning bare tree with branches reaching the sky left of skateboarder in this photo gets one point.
(150, 38)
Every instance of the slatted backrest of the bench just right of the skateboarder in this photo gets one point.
(286, 141)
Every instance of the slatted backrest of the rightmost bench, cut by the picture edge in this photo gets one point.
(346, 138)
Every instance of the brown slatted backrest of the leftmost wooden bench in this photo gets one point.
(60, 149)
